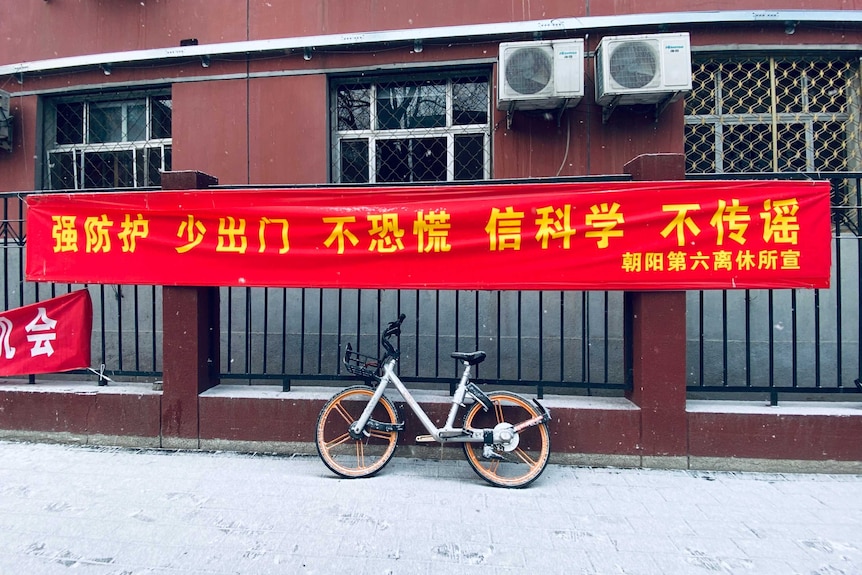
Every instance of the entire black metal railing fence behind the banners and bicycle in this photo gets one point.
(763, 341)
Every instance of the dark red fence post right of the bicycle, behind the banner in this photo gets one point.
(656, 339)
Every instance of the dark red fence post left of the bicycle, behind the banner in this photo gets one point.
(190, 347)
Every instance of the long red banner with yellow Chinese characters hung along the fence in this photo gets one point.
(621, 235)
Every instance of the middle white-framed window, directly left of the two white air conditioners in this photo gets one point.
(433, 128)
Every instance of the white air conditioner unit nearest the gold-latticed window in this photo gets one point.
(643, 69)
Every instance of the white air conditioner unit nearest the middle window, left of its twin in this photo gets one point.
(540, 75)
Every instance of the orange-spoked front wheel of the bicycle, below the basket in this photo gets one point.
(346, 455)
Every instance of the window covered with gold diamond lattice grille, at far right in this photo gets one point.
(772, 114)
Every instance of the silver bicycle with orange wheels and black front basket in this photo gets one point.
(358, 428)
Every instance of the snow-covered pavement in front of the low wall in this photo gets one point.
(66, 509)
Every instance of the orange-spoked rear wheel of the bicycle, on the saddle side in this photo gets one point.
(519, 466)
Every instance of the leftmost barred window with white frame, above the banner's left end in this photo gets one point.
(121, 140)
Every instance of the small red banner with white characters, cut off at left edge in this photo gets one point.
(46, 337)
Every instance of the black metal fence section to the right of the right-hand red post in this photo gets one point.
(796, 342)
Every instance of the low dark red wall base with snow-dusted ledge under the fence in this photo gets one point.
(585, 431)
